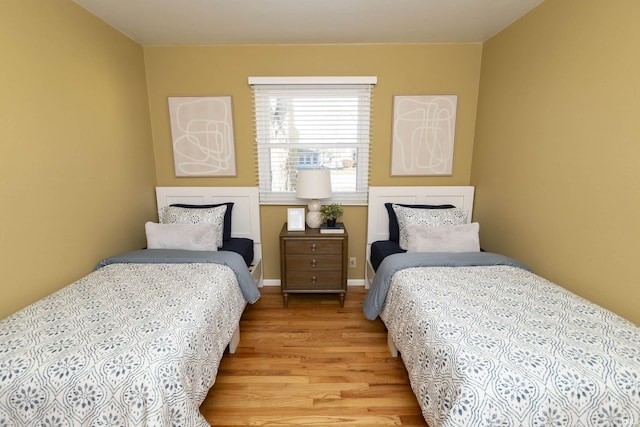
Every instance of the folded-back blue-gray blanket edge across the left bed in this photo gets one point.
(171, 256)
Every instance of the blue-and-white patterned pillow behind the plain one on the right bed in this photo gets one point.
(426, 218)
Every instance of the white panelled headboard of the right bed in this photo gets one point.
(378, 220)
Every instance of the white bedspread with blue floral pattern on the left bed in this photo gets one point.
(129, 344)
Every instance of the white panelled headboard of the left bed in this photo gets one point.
(245, 216)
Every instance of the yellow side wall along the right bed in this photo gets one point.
(556, 160)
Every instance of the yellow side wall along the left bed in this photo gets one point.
(76, 166)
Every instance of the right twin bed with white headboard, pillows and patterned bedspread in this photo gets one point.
(484, 340)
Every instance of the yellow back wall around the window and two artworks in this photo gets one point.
(401, 70)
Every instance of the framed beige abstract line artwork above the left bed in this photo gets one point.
(202, 135)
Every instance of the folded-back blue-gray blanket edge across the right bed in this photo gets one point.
(374, 301)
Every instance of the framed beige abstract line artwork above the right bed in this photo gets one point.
(423, 135)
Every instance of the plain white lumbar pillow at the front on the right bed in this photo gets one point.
(454, 238)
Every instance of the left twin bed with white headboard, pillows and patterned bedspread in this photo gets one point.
(139, 340)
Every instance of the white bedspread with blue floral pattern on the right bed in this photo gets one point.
(500, 346)
